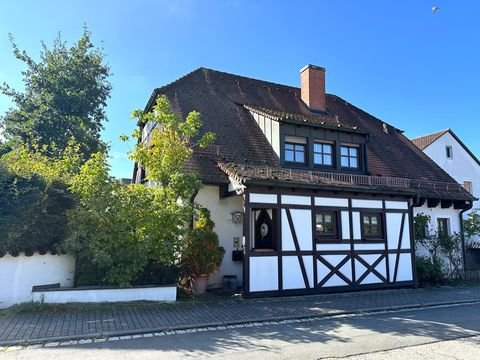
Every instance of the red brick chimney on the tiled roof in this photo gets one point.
(313, 87)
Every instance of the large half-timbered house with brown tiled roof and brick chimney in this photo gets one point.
(309, 193)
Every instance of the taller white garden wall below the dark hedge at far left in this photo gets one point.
(19, 274)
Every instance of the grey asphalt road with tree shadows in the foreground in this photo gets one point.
(433, 333)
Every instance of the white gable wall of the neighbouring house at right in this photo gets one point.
(461, 166)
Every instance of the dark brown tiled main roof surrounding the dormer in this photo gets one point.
(225, 100)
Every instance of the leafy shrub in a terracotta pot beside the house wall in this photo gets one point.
(201, 254)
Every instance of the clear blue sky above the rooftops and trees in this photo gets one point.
(397, 60)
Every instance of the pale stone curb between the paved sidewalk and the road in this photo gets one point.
(212, 326)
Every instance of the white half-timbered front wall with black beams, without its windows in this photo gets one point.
(302, 264)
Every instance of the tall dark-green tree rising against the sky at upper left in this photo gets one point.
(64, 98)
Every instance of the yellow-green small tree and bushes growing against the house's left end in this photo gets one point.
(118, 230)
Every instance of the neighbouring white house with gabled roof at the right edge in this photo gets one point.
(453, 156)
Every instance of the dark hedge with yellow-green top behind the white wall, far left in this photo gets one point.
(35, 199)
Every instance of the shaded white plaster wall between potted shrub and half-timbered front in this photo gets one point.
(221, 210)
